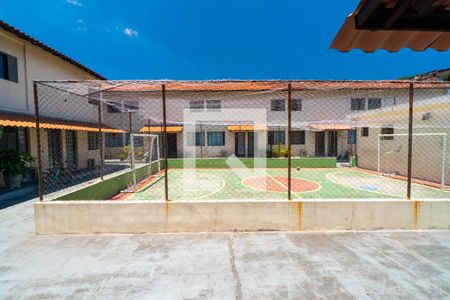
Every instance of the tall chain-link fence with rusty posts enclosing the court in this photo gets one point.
(232, 140)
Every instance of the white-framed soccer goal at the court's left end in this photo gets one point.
(145, 158)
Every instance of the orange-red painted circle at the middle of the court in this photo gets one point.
(279, 184)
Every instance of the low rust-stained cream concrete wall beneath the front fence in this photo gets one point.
(58, 217)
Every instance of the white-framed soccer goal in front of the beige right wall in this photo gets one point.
(429, 152)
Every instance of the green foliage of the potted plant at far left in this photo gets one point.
(13, 162)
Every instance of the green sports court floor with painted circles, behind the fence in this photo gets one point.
(246, 184)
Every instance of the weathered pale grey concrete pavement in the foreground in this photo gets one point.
(338, 265)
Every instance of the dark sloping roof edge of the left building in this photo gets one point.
(26, 37)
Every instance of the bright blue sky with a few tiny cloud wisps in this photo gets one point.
(210, 39)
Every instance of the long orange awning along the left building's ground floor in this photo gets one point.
(49, 123)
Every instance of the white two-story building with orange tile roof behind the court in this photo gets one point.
(322, 124)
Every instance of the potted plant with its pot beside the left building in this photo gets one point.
(13, 164)
